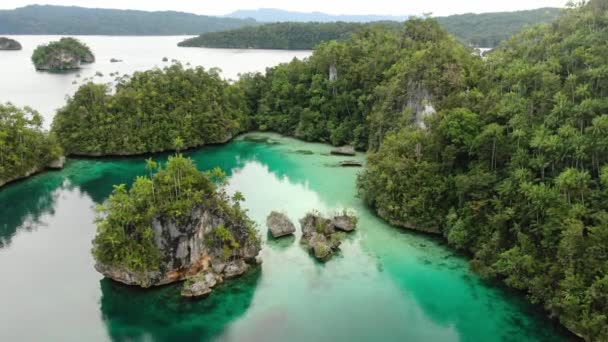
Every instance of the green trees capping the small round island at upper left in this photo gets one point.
(44, 53)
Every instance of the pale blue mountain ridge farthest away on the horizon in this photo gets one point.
(267, 15)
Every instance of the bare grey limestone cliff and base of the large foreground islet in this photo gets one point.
(186, 251)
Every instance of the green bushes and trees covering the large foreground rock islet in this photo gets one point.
(125, 237)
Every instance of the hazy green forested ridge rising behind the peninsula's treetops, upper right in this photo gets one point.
(482, 30)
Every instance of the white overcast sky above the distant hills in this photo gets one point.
(221, 7)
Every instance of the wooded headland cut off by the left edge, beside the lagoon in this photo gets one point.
(24, 147)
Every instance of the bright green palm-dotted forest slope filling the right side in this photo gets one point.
(517, 174)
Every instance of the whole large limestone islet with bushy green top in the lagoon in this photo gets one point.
(175, 224)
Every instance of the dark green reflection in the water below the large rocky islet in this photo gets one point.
(161, 315)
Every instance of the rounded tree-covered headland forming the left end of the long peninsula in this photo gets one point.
(148, 111)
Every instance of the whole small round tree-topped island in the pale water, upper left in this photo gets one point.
(65, 54)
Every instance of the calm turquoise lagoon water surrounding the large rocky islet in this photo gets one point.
(385, 285)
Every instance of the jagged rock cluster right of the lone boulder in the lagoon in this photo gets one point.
(320, 236)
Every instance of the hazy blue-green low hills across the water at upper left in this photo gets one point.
(37, 19)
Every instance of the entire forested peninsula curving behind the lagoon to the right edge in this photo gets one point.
(504, 157)
